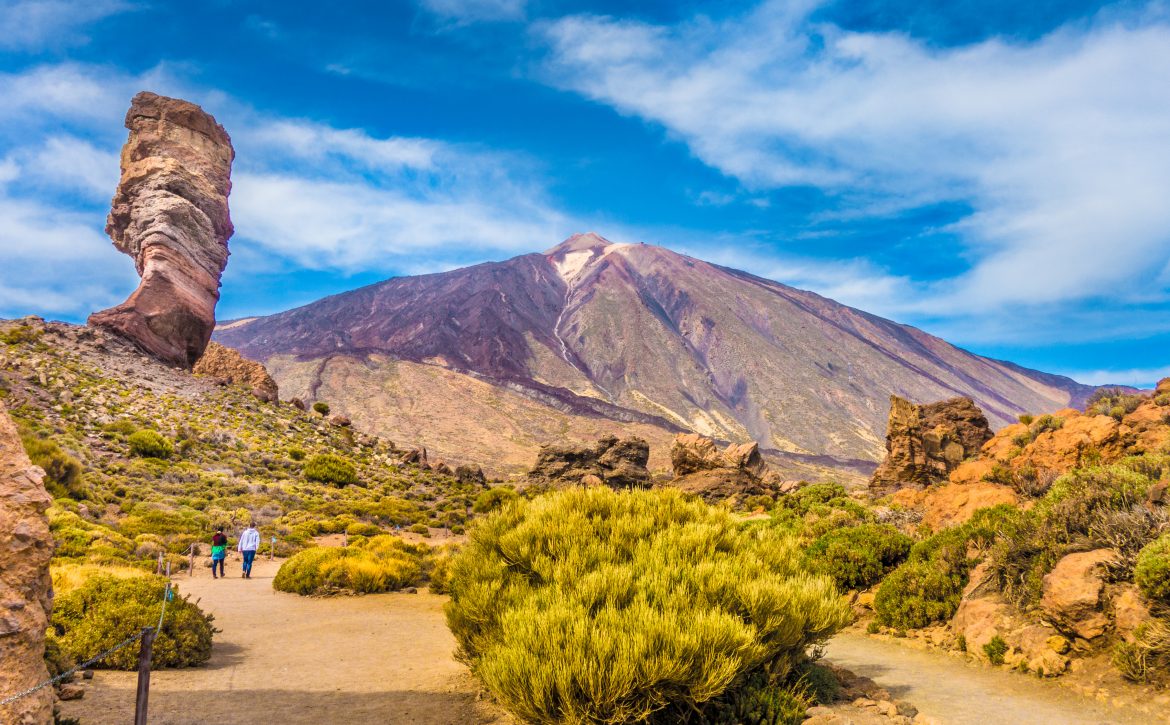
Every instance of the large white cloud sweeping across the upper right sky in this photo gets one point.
(1062, 147)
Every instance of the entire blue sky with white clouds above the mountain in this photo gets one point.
(995, 172)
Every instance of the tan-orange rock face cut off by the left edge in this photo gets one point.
(26, 590)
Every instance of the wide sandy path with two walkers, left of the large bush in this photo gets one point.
(292, 660)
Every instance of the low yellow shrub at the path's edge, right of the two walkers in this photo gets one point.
(380, 564)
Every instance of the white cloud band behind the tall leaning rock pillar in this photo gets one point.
(306, 195)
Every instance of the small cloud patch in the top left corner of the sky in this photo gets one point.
(31, 25)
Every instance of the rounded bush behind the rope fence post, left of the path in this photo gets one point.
(107, 610)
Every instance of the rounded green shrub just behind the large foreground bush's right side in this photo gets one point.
(858, 557)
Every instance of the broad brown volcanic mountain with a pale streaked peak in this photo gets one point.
(591, 337)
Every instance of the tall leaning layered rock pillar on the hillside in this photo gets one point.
(171, 216)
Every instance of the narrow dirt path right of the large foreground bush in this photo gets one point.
(955, 693)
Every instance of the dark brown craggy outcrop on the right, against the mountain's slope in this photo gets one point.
(925, 444)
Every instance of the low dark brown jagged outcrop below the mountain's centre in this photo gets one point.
(614, 462)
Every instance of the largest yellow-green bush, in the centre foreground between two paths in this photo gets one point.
(596, 606)
